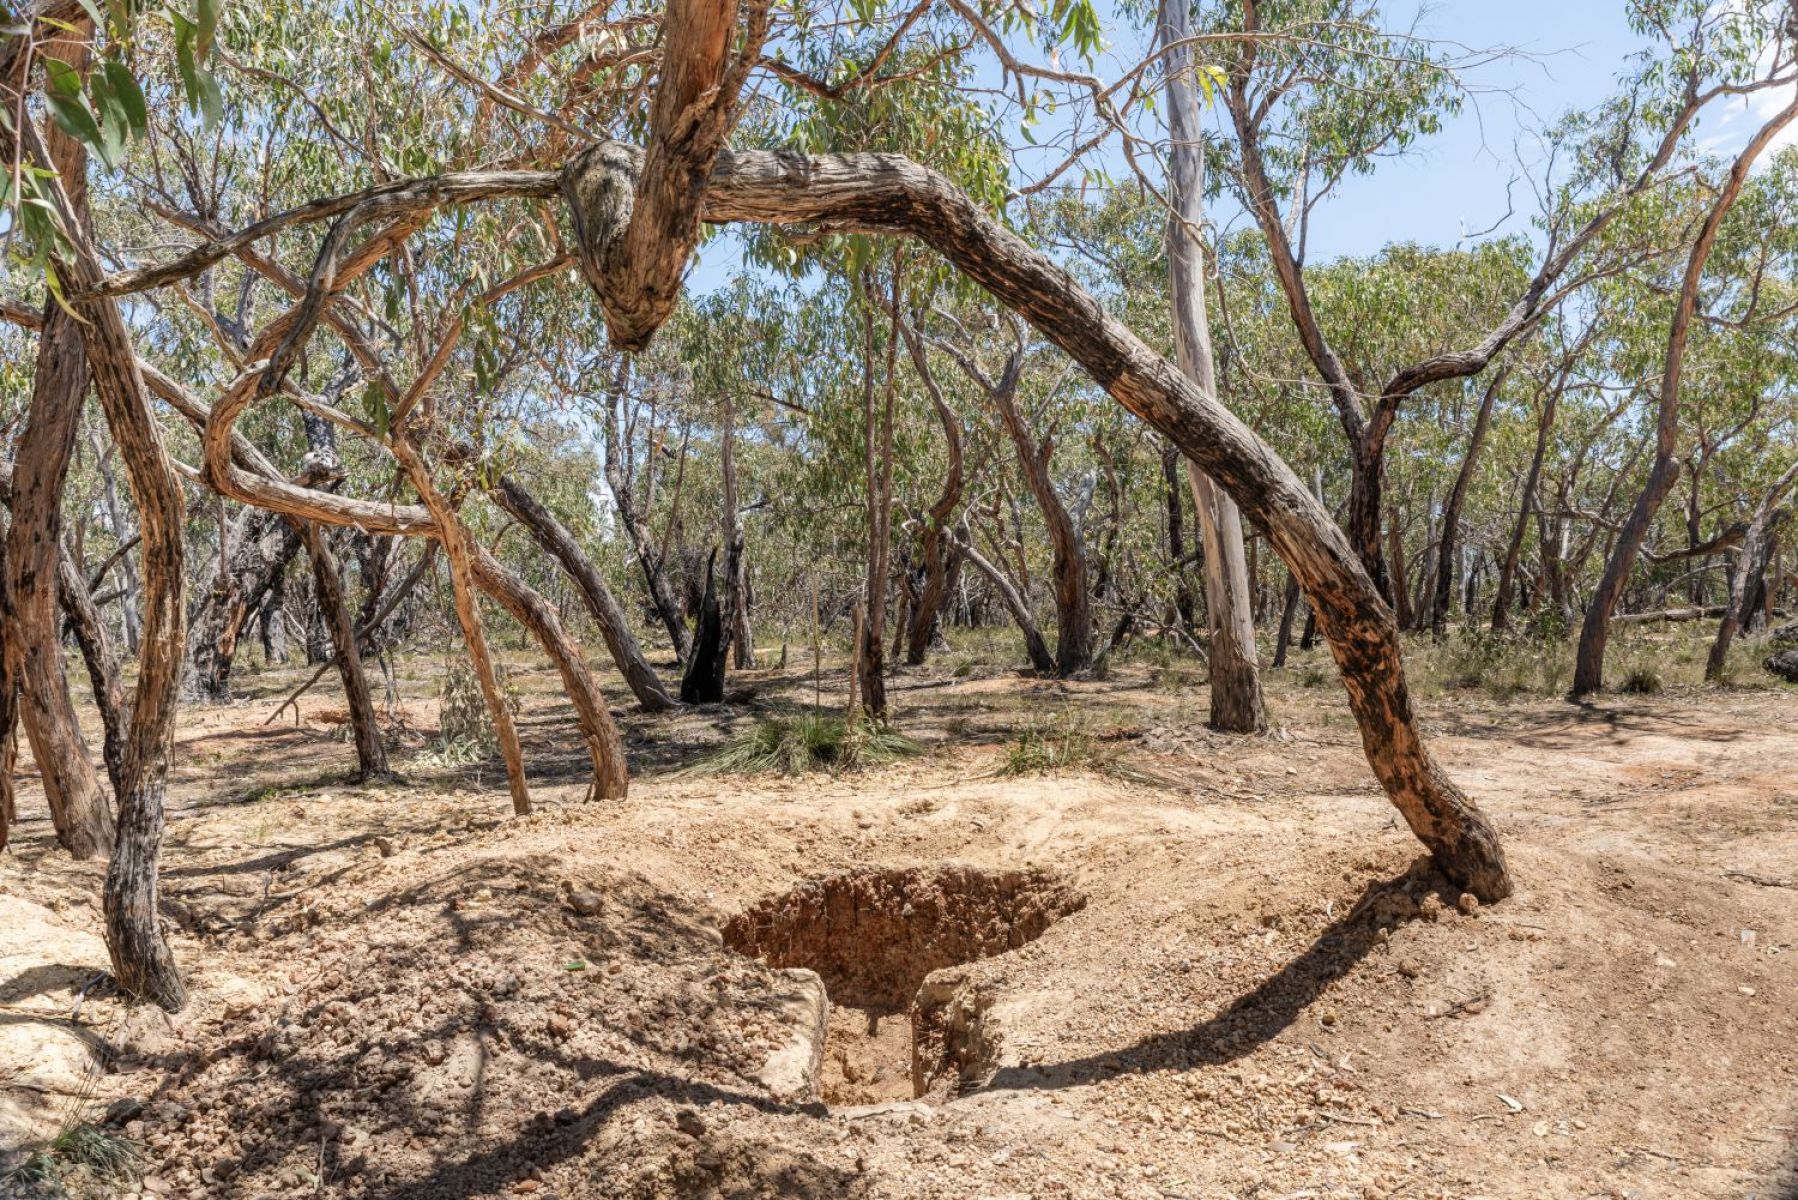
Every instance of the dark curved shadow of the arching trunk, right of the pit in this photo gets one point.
(1249, 1023)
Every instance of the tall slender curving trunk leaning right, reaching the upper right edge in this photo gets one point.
(1589, 665)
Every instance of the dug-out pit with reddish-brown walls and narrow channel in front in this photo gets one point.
(900, 1023)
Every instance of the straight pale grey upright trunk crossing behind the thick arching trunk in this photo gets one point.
(1236, 677)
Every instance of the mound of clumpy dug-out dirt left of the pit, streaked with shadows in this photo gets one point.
(476, 1034)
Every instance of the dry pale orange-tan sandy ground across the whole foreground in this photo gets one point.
(404, 992)
